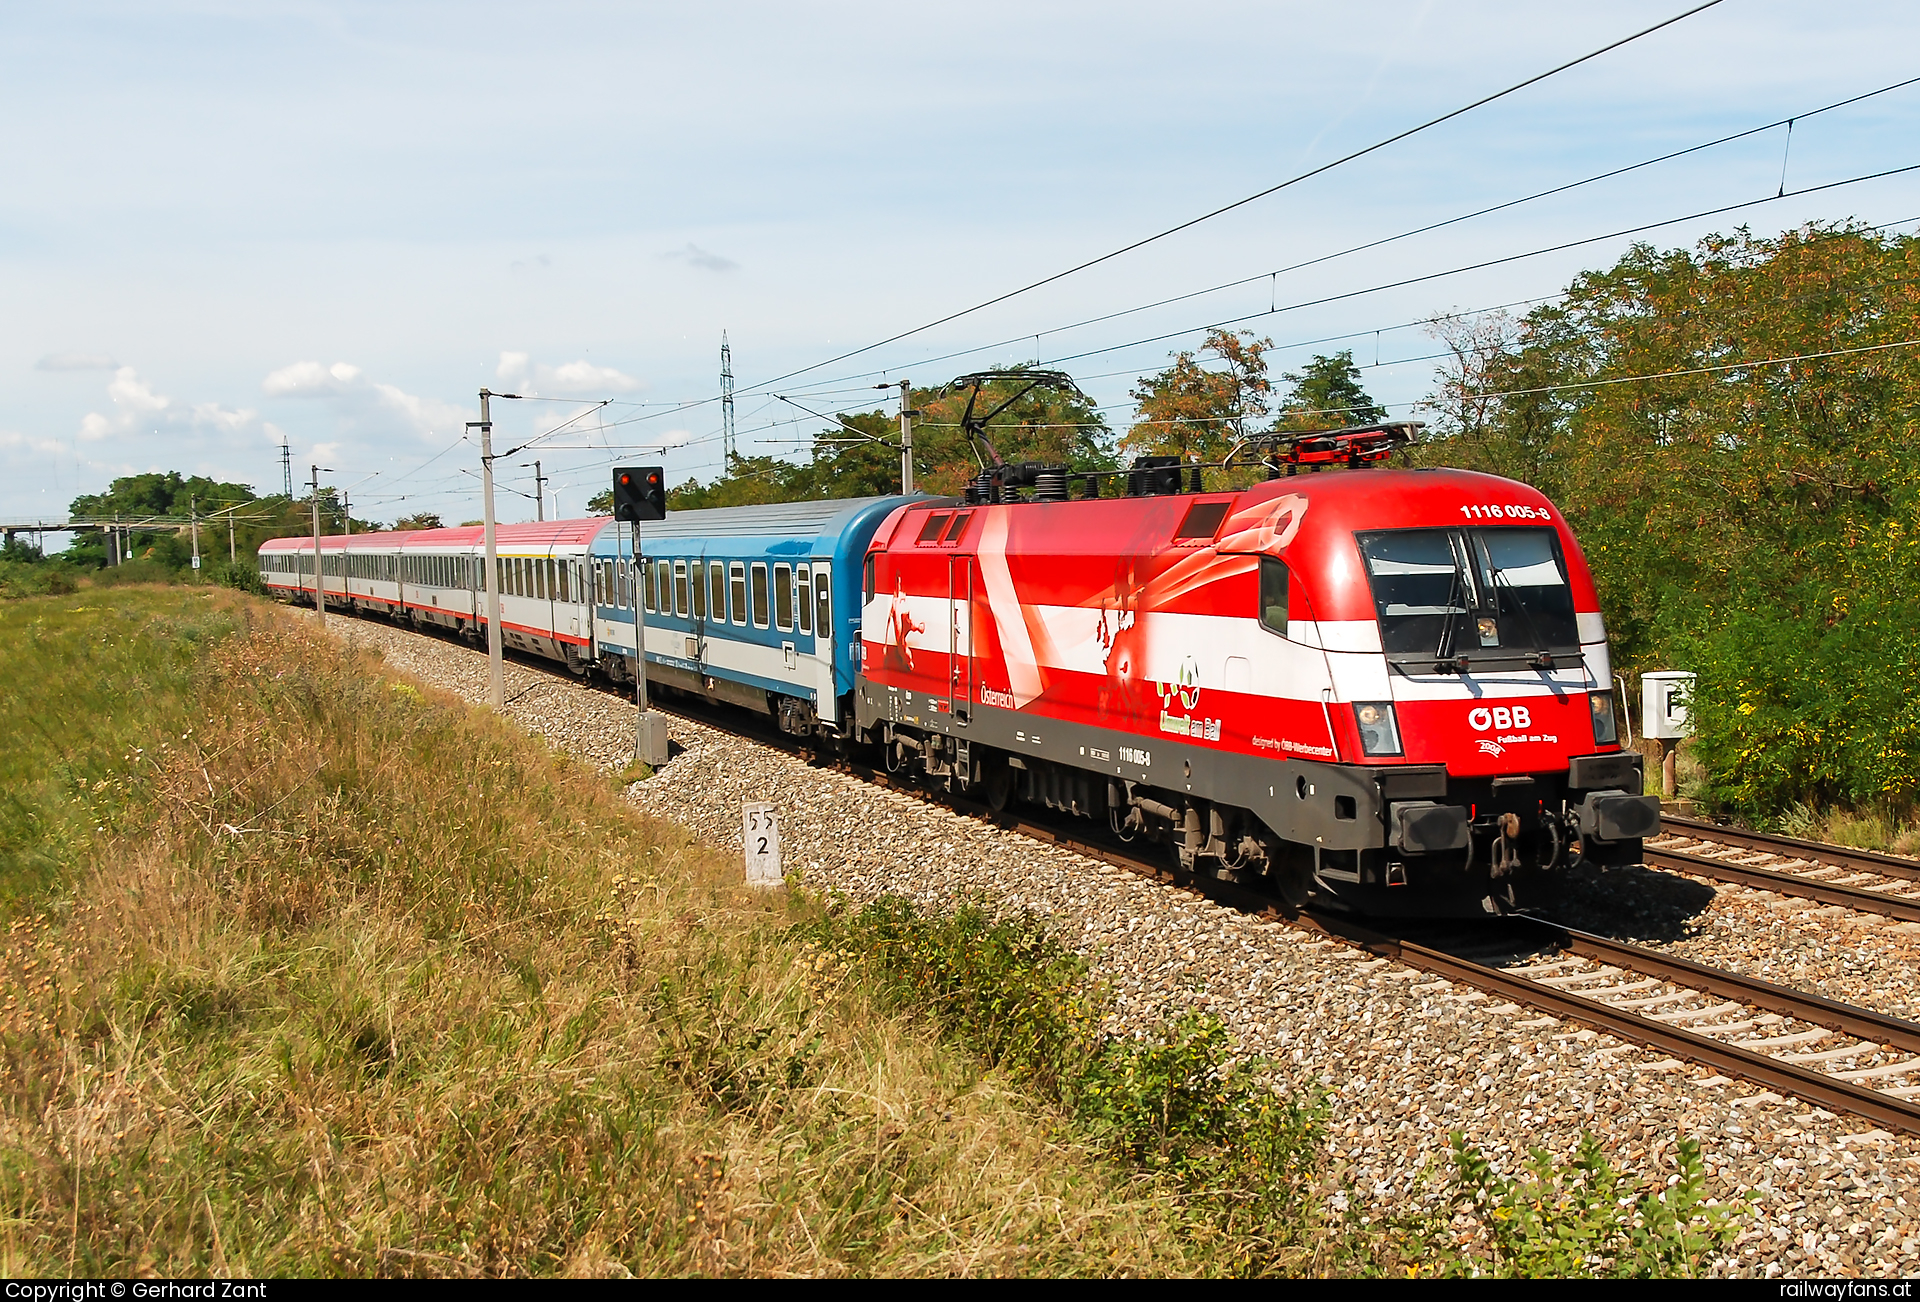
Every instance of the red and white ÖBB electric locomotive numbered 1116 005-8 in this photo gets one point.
(1387, 688)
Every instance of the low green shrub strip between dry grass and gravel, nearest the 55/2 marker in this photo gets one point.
(1176, 1105)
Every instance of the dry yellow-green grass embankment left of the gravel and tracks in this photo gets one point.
(310, 973)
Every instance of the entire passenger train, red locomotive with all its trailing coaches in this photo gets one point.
(1383, 688)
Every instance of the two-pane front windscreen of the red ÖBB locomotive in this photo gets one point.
(1491, 594)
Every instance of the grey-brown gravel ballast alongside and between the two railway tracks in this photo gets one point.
(1404, 1057)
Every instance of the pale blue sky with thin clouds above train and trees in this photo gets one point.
(333, 224)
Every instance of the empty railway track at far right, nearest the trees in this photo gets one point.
(1831, 875)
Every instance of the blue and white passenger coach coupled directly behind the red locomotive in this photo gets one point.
(752, 606)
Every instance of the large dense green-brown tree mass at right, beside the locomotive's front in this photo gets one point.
(1758, 523)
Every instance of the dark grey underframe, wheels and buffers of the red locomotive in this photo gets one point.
(1378, 840)
